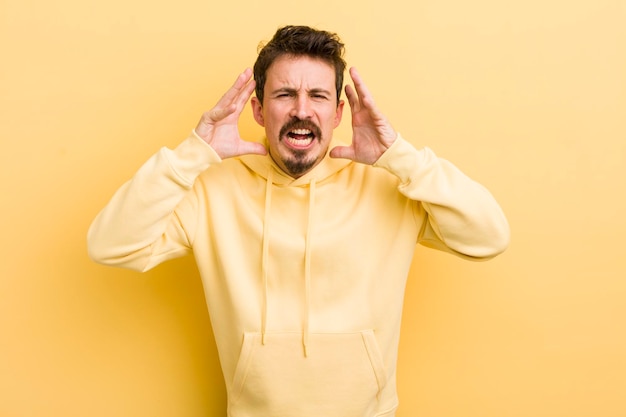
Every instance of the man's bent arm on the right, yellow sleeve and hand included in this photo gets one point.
(462, 217)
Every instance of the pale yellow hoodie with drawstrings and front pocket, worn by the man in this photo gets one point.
(304, 278)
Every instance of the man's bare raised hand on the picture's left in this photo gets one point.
(219, 126)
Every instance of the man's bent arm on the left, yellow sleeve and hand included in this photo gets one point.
(141, 226)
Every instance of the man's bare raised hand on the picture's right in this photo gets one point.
(372, 134)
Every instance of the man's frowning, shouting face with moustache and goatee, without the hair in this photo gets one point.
(299, 112)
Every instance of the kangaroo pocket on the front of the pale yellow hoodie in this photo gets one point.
(341, 376)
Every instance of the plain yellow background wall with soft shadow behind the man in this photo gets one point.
(528, 97)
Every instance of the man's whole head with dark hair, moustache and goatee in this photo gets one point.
(299, 77)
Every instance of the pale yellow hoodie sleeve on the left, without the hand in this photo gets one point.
(145, 223)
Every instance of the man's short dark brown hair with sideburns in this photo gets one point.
(300, 41)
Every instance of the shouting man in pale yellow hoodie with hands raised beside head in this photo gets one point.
(303, 246)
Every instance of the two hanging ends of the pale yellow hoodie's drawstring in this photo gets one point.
(307, 262)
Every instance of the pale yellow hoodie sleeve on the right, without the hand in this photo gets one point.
(462, 216)
